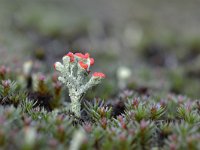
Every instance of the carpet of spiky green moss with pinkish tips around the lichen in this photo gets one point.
(40, 119)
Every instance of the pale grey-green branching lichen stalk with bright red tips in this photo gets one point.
(74, 74)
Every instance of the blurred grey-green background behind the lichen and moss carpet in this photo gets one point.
(141, 45)
